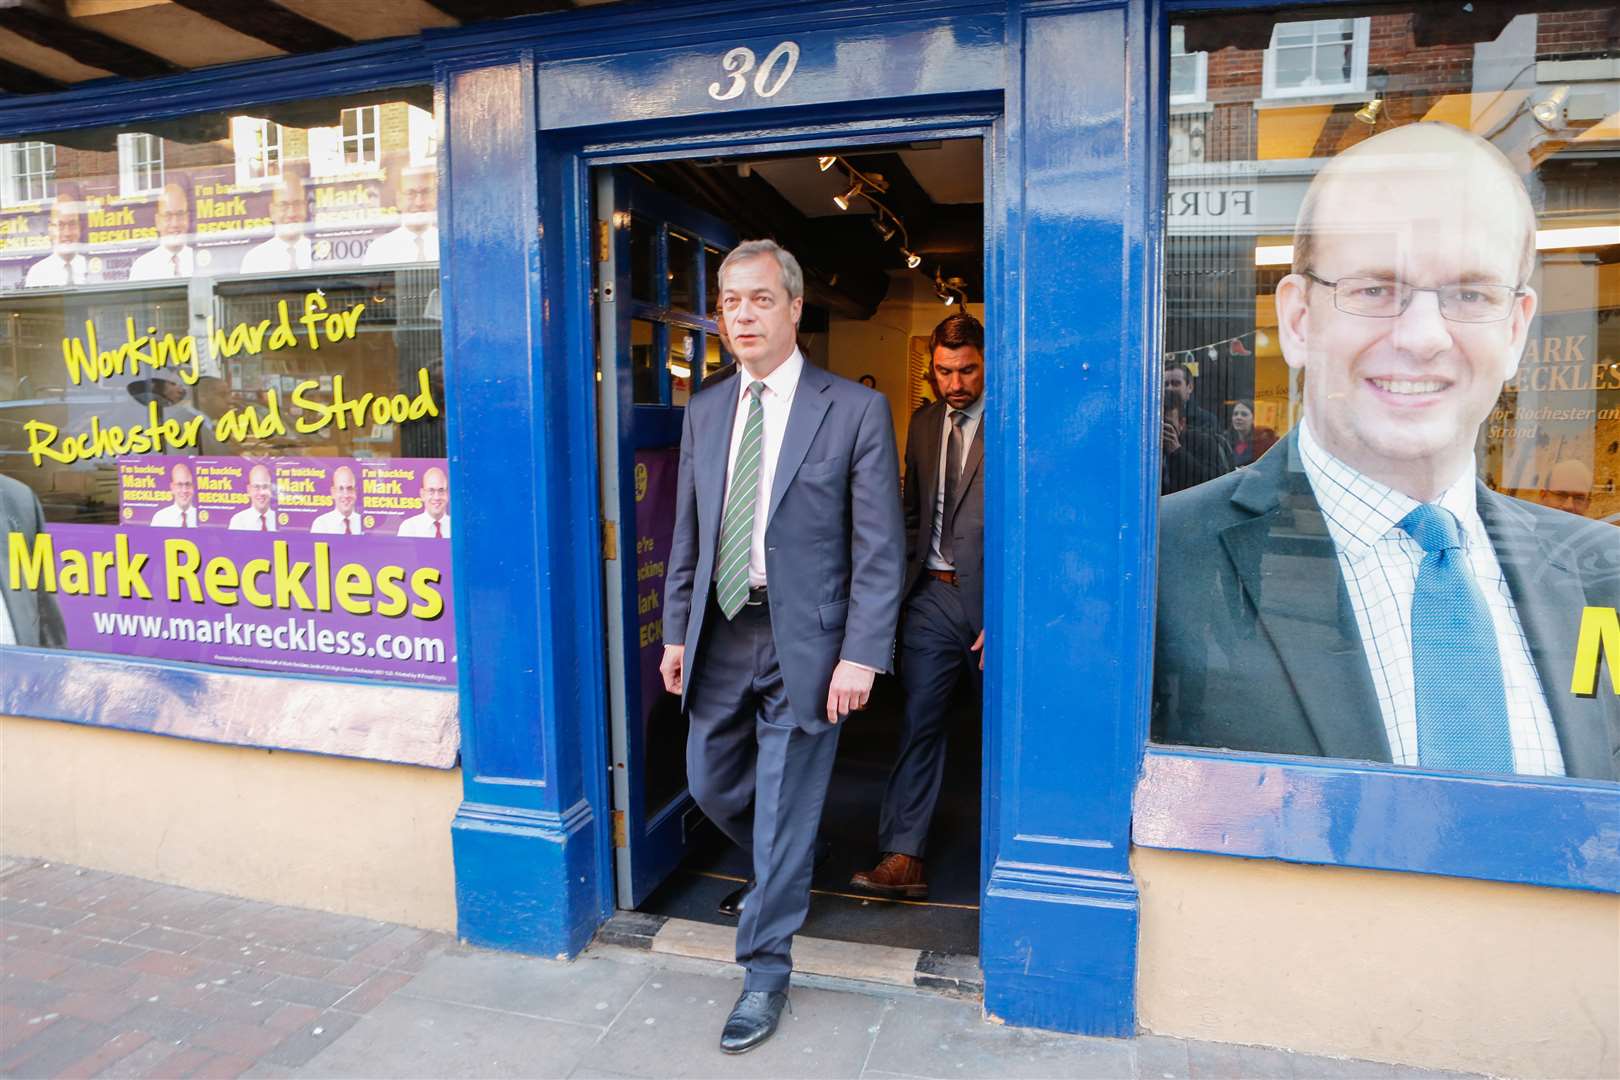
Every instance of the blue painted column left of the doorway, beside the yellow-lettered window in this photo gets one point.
(529, 867)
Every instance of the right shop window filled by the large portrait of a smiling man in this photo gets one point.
(1391, 448)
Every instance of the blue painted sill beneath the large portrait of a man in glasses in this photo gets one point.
(1520, 830)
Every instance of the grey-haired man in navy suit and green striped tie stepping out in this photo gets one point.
(780, 606)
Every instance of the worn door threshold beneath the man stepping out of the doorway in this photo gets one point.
(887, 966)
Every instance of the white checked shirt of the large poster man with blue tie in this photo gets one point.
(1379, 563)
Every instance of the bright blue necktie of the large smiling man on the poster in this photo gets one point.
(1457, 671)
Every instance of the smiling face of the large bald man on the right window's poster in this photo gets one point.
(1402, 399)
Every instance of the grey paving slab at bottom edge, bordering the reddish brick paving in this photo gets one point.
(416, 1037)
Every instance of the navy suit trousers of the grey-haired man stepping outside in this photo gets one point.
(761, 780)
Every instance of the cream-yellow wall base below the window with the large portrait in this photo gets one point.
(1405, 969)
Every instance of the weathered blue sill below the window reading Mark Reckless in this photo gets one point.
(213, 705)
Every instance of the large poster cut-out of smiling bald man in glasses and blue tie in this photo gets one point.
(1358, 593)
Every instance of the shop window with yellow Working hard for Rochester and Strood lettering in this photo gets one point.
(221, 375)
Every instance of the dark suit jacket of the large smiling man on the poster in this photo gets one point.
(1258, 640)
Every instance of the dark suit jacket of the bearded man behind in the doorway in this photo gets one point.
(923, 487)
